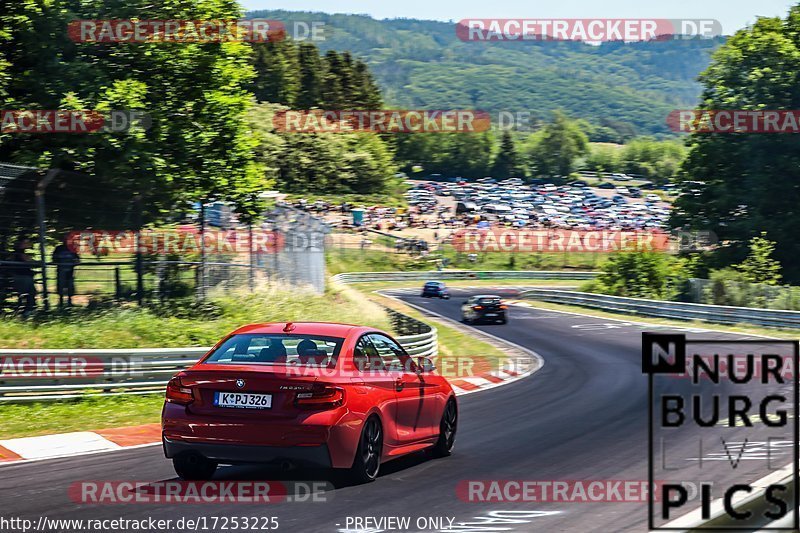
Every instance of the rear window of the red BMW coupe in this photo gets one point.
(278, 349)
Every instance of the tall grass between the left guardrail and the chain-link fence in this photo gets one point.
(133, 327)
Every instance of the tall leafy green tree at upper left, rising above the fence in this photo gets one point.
(199, 145)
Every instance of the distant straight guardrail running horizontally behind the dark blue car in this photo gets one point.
(364, 277)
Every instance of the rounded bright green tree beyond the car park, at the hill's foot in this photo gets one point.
(554, 150)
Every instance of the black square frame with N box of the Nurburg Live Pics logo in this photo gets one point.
(678, 366)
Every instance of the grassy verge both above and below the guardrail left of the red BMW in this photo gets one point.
(138, 328)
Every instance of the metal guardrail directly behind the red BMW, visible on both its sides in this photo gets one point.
(145, 371)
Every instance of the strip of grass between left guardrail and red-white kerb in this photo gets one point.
(78, 415)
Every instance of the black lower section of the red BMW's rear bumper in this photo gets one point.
(312, 456)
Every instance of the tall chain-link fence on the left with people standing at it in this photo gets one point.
(63, 243)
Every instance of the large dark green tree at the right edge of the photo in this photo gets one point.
(739, 185)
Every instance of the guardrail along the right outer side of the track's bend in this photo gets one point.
(678, 310)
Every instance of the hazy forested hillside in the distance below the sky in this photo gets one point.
(623, 90)
